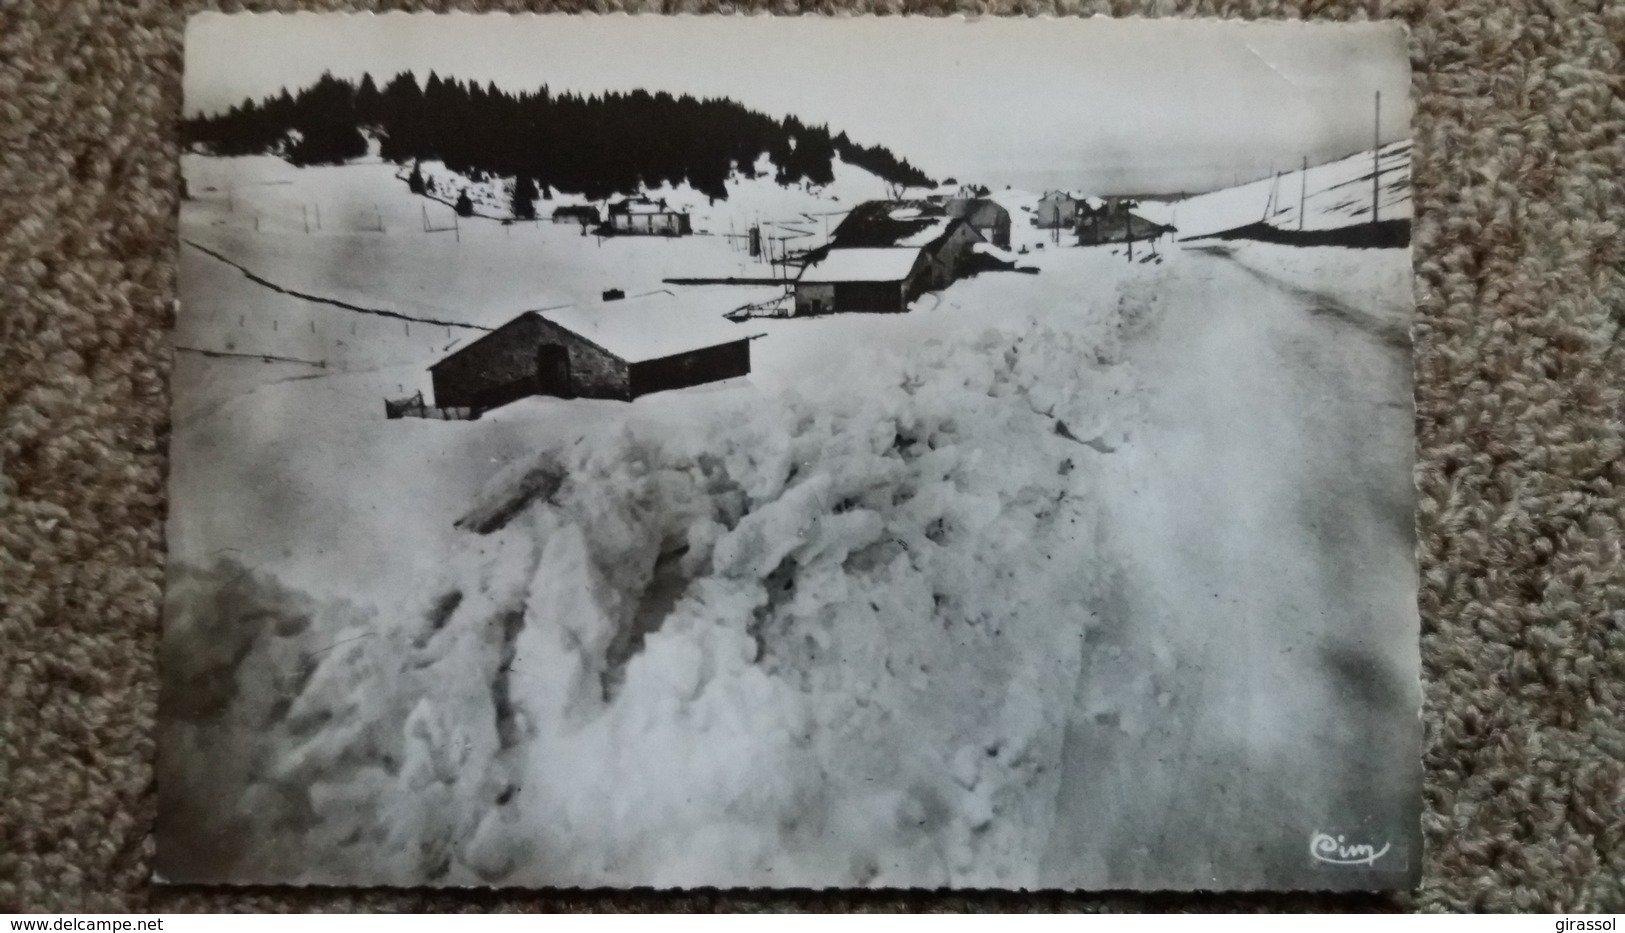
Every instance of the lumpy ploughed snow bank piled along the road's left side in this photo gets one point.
(817, 638)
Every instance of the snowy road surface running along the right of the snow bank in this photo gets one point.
(1223, 718)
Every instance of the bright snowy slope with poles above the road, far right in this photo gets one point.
(1335, 196)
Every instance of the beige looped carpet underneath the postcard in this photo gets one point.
(1520, 184)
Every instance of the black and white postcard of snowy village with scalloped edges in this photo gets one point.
(792, 453)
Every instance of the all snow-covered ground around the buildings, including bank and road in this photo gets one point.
(934, 599)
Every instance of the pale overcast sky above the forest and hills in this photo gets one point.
(1111, 106)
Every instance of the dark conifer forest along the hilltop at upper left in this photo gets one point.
(592, 145)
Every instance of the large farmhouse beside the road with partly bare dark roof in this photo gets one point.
(883, 256)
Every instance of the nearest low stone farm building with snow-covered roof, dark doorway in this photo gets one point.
(612, 350)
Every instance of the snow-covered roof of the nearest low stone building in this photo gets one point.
(652, 326)
